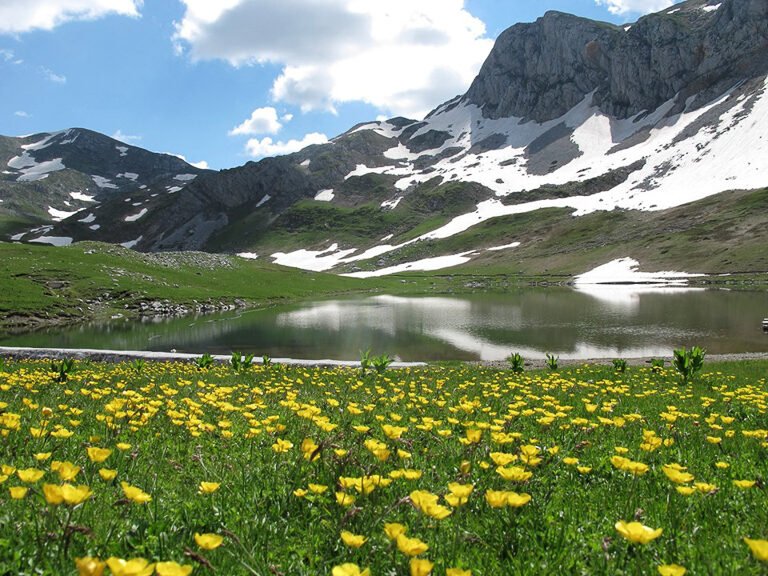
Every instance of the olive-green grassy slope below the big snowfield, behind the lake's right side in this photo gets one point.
(726, 233)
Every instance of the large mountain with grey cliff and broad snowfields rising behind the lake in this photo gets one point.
(566, 114)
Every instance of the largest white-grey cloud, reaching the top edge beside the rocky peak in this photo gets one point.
(401, 56)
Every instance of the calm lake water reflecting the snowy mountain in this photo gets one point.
(593, 322)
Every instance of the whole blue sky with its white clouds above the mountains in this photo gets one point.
(229, 81)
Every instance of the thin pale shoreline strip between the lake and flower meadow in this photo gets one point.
(128, 355)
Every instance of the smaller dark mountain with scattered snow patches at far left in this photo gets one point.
(72, 174)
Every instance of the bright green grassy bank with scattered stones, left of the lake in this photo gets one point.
(41, 283)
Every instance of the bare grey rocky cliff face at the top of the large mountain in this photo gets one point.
(698, 48)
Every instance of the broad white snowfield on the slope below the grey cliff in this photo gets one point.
(683, 161)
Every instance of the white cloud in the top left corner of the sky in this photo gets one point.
(18, 16)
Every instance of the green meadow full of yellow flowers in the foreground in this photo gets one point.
(172, 469)
